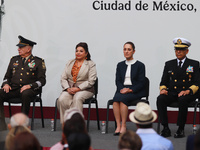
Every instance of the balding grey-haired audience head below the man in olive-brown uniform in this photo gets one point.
(18, 119)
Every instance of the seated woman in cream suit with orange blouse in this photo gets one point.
(77, 81)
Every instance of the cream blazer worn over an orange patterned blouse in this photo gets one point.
(85, 79)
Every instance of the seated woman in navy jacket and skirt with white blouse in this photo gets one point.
(130, 81)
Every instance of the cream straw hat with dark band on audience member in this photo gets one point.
(143, 114)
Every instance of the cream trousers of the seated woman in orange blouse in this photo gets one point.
(67, 101)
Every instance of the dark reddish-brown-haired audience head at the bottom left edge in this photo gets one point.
(25, 141)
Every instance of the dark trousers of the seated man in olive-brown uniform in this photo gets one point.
(26, 97)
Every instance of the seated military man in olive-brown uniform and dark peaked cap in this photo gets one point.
(24, 77)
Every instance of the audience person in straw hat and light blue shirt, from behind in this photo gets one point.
(143, 117)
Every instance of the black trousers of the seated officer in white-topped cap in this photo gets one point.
(164, 100)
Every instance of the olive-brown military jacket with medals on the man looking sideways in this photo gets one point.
(19, 74)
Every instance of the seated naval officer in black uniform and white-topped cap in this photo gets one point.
(180, 82)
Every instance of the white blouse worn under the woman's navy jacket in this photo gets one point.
(127, 80)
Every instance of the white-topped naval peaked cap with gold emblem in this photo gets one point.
(181, 43)
